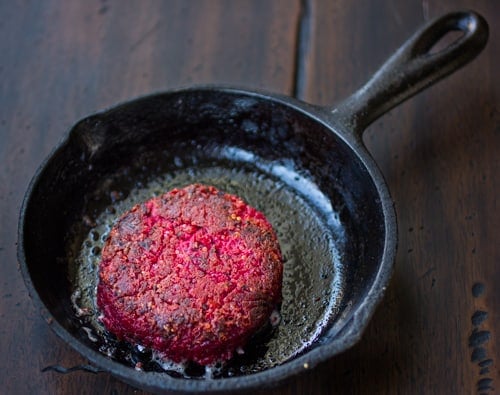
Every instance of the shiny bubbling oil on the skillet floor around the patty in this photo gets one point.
(308, 232)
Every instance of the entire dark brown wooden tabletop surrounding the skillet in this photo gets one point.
(436, 331)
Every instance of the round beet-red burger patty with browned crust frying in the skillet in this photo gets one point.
(192, 274)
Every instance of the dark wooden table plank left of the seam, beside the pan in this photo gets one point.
(63, 61)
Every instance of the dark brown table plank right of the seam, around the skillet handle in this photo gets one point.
(439, 154)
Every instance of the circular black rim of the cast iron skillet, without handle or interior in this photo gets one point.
(357, 322)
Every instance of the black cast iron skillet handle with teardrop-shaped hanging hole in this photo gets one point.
(414, 67)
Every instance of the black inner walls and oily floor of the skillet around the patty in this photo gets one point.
(312, 187)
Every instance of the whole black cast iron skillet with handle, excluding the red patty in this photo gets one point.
(304, 166)
